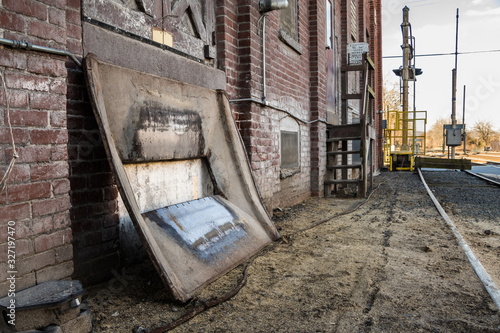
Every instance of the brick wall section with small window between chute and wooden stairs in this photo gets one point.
(239, 35)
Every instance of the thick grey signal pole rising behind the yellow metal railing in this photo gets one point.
(407, 55)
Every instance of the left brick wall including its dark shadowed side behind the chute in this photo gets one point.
(61, 193)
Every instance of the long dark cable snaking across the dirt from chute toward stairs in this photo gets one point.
(214, 301)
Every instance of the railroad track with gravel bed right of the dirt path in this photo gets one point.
(471, 208)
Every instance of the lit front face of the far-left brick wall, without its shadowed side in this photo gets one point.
(37, 196)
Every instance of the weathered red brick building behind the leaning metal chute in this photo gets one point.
(281, 71)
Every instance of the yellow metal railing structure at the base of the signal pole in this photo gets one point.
(404, 138)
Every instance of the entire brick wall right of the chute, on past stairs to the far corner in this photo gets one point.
(292, 78)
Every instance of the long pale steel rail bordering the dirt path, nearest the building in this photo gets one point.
(481, 272)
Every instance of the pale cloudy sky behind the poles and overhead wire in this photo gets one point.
(433, 24)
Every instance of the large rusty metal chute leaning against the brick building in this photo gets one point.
(182, 172)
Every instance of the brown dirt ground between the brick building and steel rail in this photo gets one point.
(392, 265)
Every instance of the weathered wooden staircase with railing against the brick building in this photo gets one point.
(348, 166)
